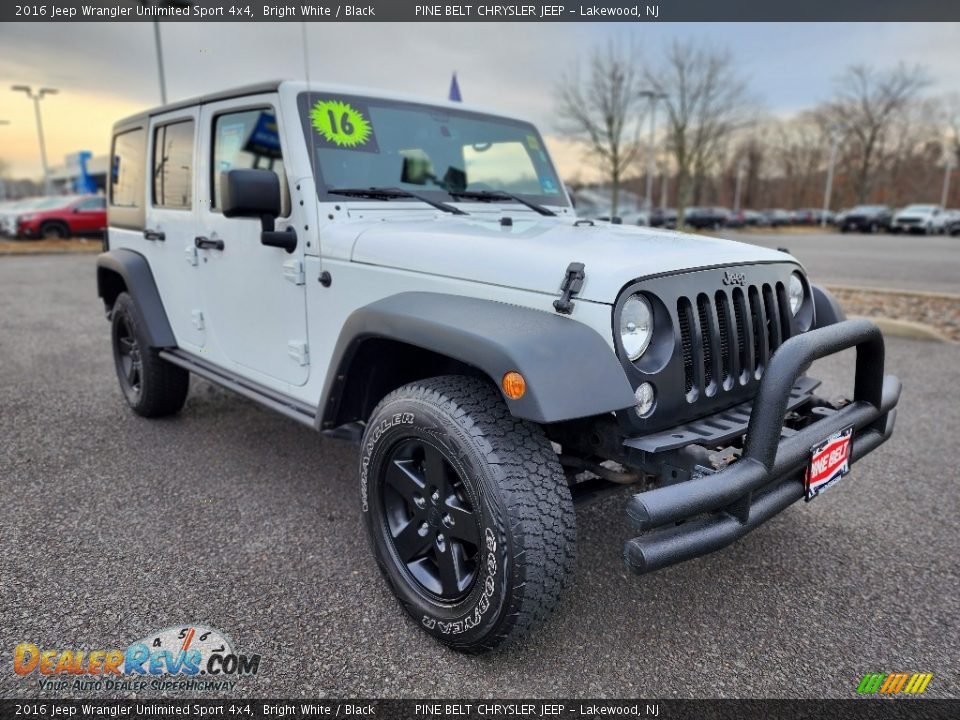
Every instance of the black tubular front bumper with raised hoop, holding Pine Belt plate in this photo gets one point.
(768, 477)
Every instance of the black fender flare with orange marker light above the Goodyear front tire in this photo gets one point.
(571, 372)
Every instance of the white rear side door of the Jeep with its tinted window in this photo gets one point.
(171, 218)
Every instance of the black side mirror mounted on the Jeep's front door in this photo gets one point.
(256, 193)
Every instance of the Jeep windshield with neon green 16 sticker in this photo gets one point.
(368, 142)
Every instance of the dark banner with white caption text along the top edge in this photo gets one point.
(626, 11)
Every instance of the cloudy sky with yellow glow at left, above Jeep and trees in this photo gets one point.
(107, 70)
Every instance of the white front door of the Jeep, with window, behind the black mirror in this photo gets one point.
(255, 299)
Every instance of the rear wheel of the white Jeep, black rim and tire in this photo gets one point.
(151, 386)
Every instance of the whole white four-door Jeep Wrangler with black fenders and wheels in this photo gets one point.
(412, 276)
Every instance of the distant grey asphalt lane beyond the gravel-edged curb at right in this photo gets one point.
(908, 262)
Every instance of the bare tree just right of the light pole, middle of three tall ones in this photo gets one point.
(704, 99)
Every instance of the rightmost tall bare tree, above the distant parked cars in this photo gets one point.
(867, 103)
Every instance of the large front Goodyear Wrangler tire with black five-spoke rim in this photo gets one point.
(468, 512)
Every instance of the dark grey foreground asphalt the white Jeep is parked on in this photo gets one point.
(234, 517)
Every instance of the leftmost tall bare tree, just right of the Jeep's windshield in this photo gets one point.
(603, 110)
